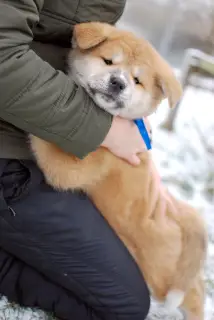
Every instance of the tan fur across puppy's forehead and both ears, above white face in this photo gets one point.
(89, 35)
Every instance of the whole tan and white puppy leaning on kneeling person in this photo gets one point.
(167, 238)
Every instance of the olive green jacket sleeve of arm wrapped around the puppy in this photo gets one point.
(37, 98)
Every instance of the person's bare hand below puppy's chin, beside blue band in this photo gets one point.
(125, 141)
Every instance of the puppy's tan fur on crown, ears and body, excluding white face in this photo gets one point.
(166, 237)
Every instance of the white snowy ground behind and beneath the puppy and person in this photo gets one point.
(188, 170)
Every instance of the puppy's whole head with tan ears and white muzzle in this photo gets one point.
(122, 73)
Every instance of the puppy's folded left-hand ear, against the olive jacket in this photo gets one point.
(90, 34)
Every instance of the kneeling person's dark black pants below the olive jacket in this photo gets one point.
(58, 253)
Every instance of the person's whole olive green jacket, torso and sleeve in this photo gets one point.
(35, 95)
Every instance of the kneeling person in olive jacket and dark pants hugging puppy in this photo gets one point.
(56, 250)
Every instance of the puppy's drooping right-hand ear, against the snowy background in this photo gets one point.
(168, 83)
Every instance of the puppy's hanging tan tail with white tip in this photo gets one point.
(194, 247)
